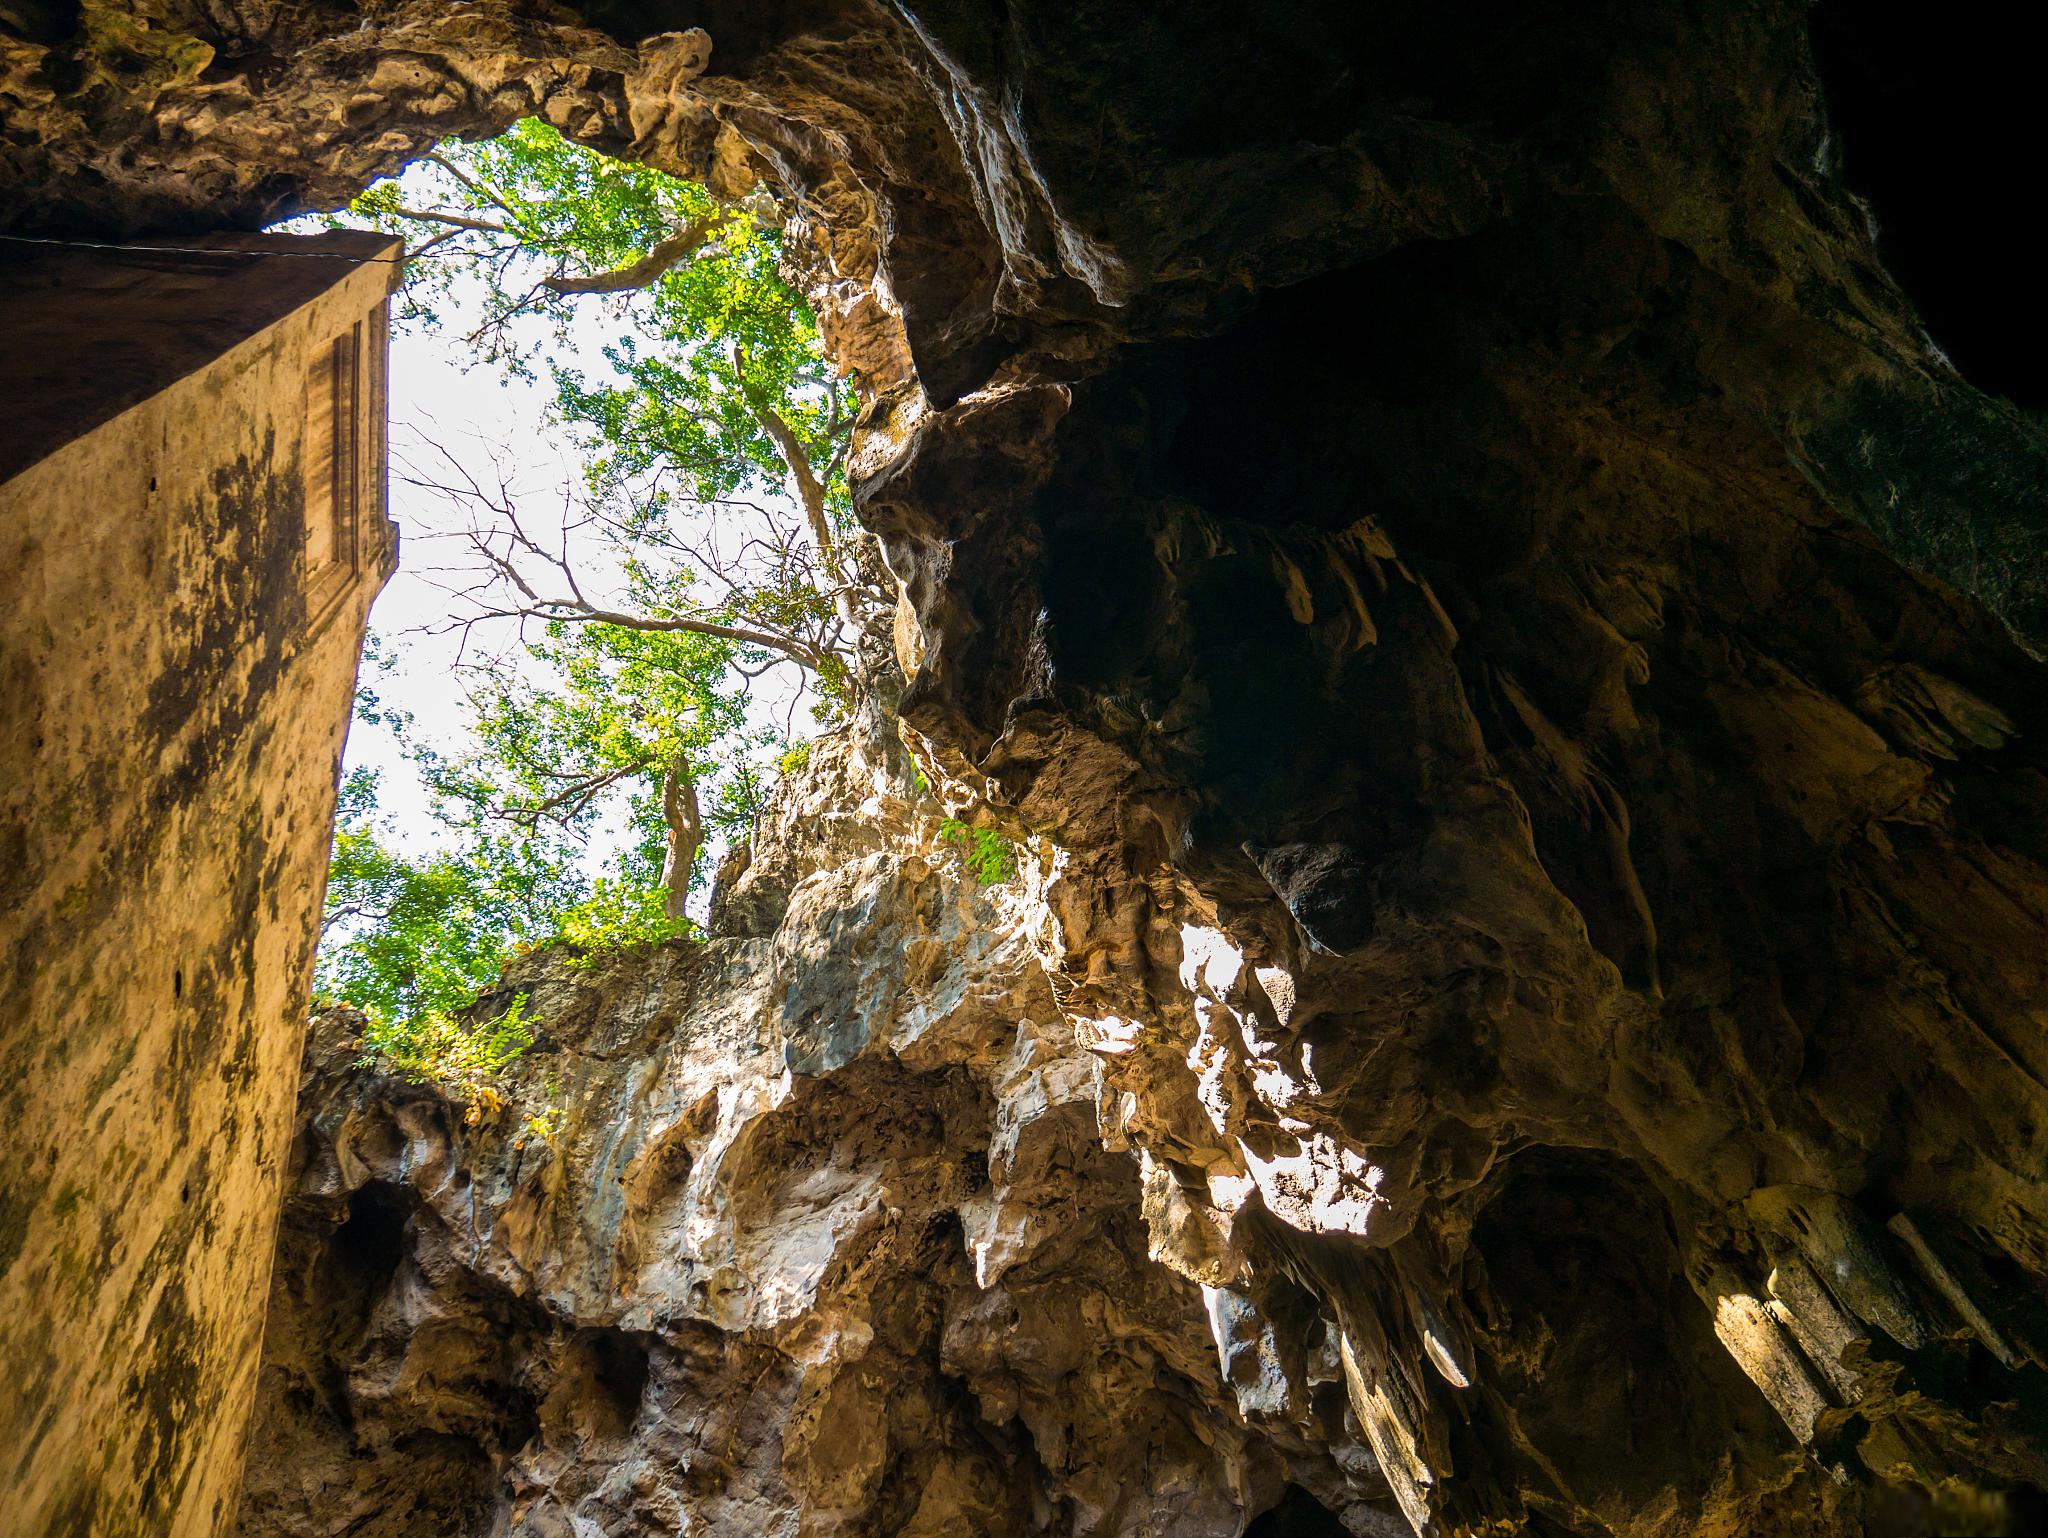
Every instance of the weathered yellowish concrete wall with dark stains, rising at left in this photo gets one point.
(191, 538)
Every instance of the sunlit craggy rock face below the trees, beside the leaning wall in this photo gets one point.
(818, 1238)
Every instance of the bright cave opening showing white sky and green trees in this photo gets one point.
(636, 589)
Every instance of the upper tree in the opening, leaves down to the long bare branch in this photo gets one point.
(720, 398)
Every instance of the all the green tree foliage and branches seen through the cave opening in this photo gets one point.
(703, 550)
